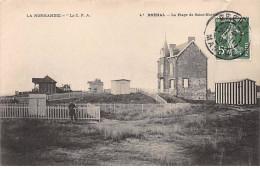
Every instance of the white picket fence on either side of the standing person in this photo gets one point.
(49, 112)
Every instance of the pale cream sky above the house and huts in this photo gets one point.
(114, 42)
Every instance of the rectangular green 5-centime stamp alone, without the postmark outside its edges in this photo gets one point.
(232, 38)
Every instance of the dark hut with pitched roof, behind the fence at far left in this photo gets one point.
(44, 85)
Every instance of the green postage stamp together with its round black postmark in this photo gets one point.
(227, 36)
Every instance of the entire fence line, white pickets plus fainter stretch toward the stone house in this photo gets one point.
(84, 111)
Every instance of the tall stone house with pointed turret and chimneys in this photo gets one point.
(182, 71)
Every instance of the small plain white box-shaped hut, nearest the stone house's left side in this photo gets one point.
(121, 86)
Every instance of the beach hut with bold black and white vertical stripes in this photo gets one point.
(236, 92)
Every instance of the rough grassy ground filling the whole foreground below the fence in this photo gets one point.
(206, 134)
